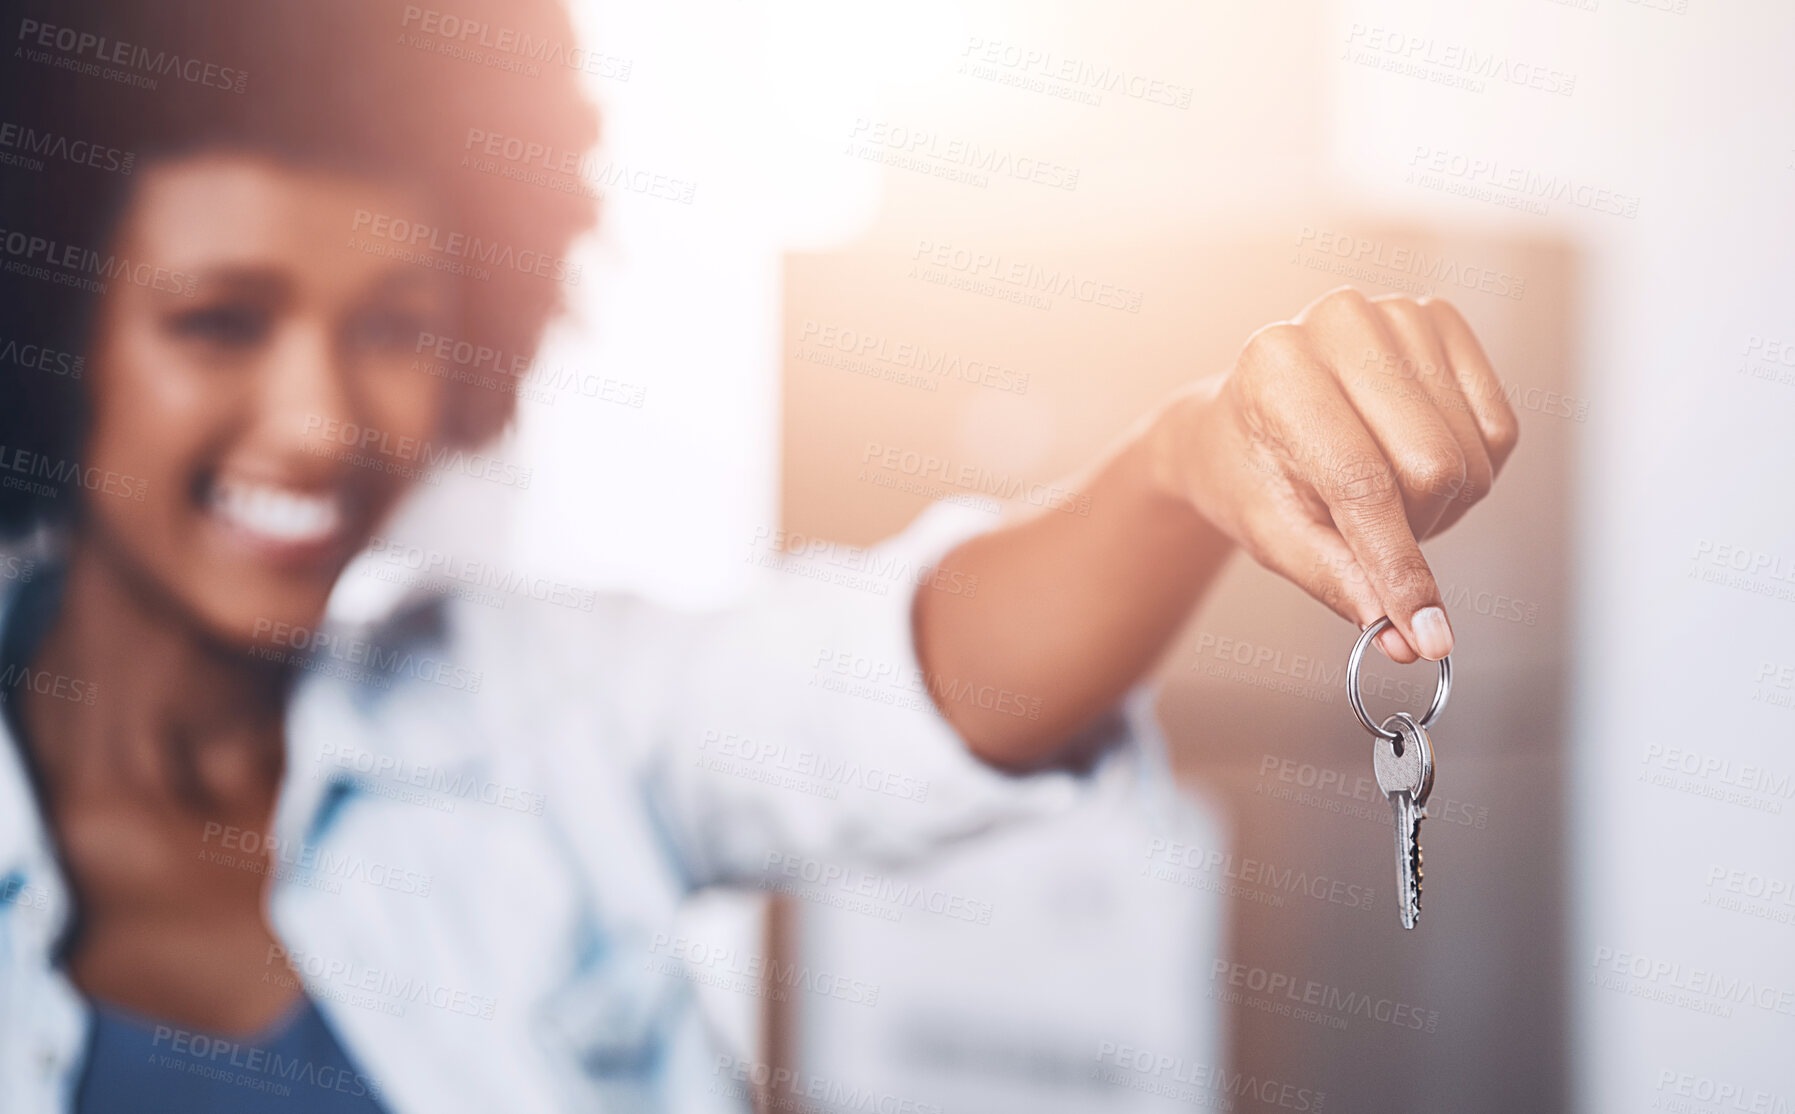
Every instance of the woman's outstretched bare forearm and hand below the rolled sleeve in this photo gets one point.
(1333, 446)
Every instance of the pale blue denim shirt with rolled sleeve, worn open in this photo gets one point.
(491, 812)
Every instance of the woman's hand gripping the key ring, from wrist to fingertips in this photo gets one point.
(1336, 444)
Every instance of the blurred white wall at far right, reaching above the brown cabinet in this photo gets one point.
(1694, 112)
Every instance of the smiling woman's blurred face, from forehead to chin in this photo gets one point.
(241, 408)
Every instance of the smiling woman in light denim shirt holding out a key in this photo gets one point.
(216, 790)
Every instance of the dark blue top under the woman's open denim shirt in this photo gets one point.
(293, 1068)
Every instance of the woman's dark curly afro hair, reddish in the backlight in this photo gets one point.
(94, 91)
